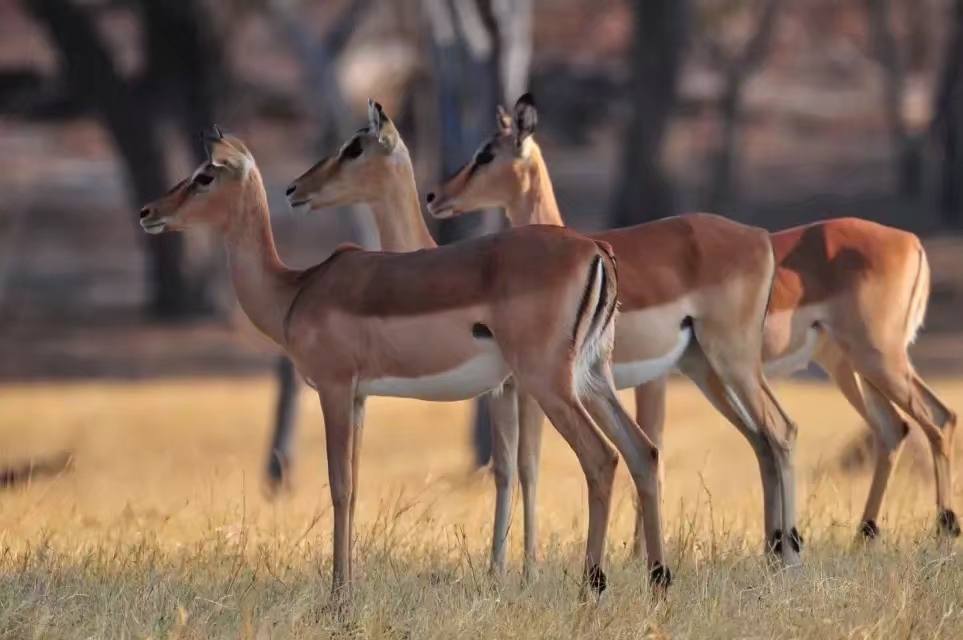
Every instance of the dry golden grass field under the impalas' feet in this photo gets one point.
(161, 528)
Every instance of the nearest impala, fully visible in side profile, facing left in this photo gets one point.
(534, 307)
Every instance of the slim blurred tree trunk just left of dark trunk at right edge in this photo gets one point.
(907, 147)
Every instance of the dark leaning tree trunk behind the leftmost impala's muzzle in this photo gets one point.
(129, 113)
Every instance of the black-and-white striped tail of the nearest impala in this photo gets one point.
(595, 324)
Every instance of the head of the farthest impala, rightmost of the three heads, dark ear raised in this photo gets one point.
(499, 173)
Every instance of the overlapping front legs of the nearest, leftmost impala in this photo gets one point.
(337, 405)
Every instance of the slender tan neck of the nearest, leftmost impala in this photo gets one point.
(263, 284)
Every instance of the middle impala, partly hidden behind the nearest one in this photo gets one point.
(374, 167)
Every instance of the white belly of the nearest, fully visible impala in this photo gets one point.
(482, 373)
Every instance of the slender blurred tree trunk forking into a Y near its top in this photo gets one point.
(737, 69)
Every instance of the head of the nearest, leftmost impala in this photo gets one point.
(208, 195)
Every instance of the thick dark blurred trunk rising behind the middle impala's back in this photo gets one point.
(644, 192)
